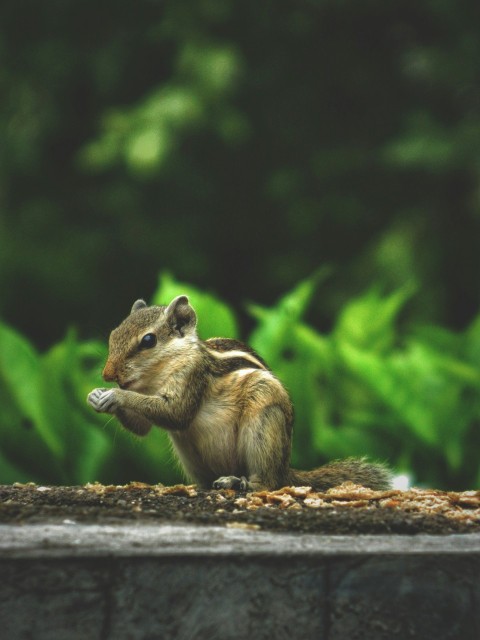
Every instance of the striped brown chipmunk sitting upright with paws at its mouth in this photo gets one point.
(228, 417)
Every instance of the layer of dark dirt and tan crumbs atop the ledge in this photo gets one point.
(347, 509)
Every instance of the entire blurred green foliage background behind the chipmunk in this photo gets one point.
(241, 146)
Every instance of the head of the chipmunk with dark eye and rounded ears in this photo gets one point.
(146, 340)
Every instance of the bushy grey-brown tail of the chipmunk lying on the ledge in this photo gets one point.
(357, 470)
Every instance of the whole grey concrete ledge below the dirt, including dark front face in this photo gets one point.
(75, 582)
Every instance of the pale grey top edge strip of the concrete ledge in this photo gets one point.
(92, 540)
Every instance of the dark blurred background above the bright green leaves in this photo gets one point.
(240, 145)
